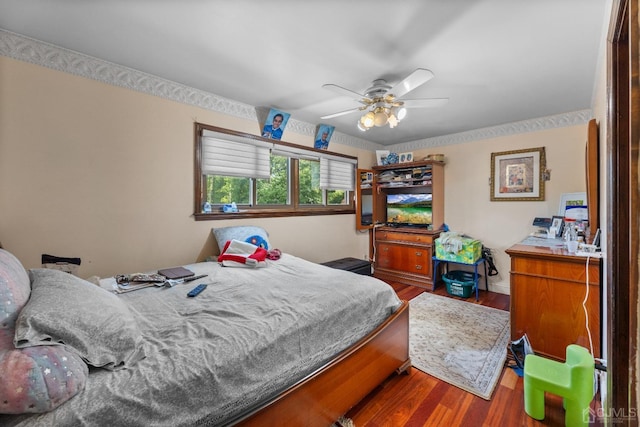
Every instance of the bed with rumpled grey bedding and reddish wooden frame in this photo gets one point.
(290, 343)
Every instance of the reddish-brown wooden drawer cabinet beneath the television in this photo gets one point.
(404, 255)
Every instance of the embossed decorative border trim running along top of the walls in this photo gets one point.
(26, 49)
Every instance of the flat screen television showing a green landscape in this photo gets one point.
(409, 209)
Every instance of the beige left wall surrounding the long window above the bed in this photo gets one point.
(106, 174)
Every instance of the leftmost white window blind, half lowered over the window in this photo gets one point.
(227, 157)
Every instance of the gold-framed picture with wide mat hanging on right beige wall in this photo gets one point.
(516, 175)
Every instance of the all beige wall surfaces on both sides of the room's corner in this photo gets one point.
(106, 174)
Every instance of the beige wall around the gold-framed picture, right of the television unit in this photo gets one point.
(499, 225)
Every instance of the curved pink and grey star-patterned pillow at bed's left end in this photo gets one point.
(36, 379)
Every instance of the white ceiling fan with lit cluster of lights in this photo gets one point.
(383, 102)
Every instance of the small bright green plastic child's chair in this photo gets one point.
(573, 380)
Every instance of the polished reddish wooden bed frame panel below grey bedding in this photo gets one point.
(328, 393)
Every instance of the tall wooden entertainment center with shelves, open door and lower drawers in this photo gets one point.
(401, 253)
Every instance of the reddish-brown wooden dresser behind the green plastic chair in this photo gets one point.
(548, 287)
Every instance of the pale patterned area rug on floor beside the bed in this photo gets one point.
(461, 343)
